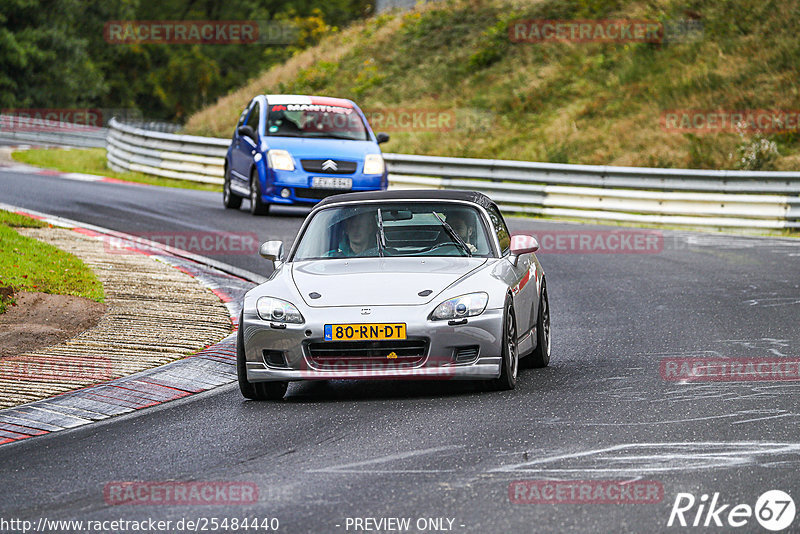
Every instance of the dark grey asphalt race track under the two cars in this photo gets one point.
(351, 449)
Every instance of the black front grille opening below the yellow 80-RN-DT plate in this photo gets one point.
(336, 353)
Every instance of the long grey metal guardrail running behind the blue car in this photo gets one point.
(744, 199)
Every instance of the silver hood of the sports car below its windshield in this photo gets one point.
(379, 281)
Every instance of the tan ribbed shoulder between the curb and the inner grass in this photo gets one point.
(154, 314)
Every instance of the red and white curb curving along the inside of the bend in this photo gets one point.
(210, 368)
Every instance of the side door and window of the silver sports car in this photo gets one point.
(523, 279)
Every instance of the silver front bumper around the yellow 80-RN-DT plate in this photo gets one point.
(276, 353)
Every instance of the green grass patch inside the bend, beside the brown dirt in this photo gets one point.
(27, 264)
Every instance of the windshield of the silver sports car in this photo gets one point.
(396, 229)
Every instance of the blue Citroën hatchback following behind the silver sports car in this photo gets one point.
(295, 149)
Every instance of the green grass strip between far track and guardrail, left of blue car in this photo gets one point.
(93, 161)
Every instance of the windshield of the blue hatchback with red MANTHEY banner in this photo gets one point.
(316, 121)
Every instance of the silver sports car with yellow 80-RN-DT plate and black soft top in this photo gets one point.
(399, 285)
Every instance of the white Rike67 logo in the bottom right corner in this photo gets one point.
(774, 510)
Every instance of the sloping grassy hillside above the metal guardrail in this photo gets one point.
(586, 103)
